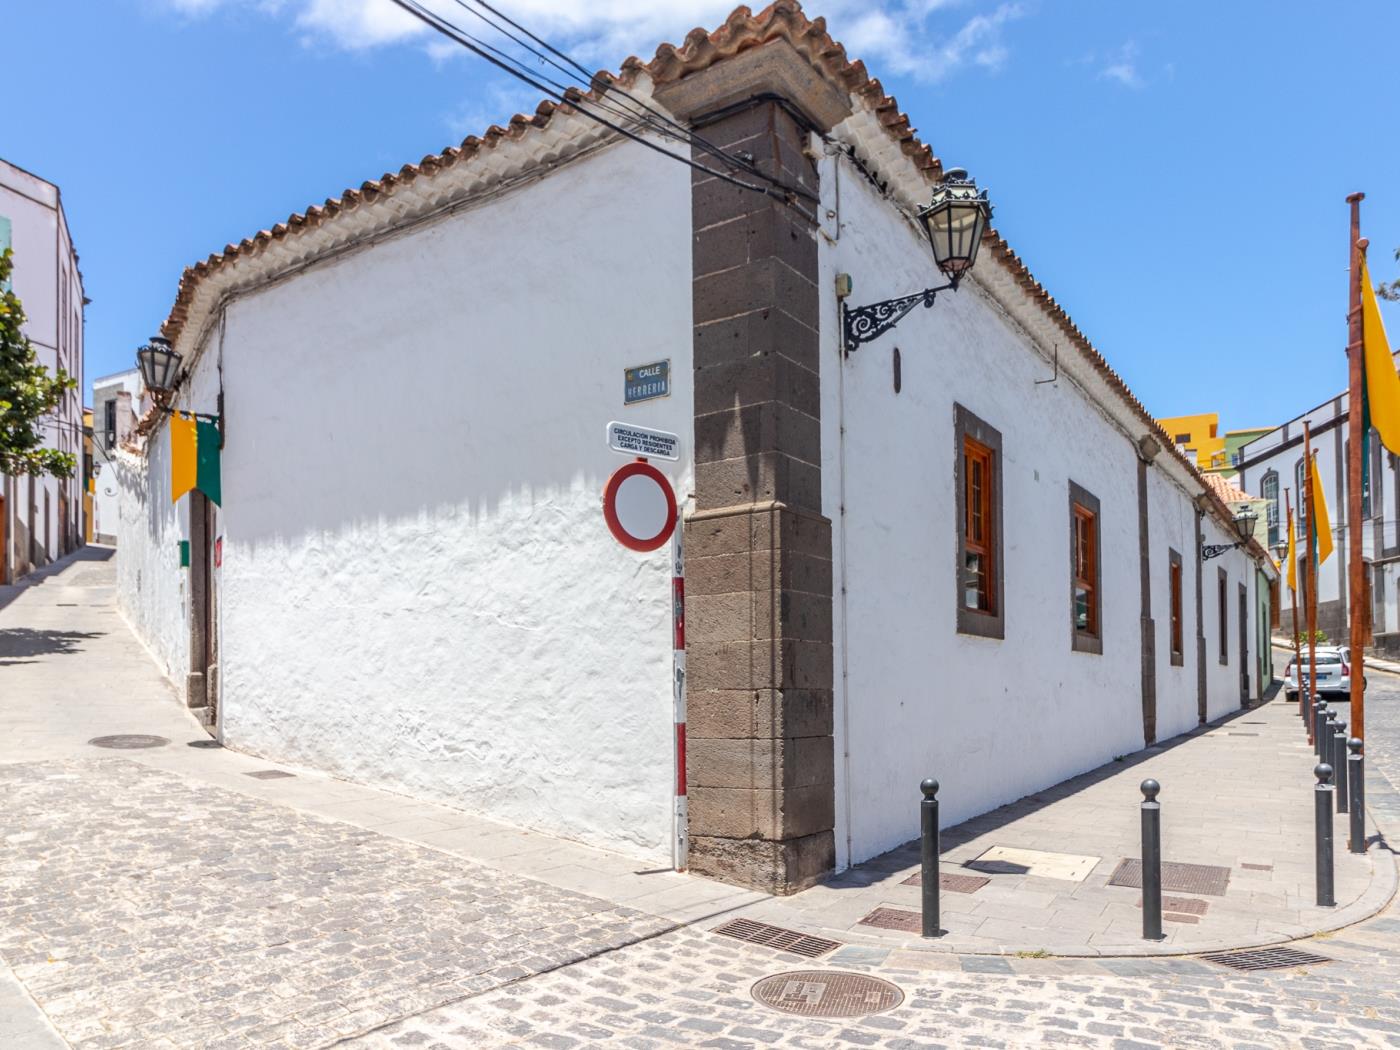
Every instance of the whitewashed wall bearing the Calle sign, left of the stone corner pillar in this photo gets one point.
(419, 590)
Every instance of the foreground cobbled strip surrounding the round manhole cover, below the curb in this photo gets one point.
(694, 990)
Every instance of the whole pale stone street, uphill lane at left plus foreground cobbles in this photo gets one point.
(167, 899)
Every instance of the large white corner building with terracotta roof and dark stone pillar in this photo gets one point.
(429, 600)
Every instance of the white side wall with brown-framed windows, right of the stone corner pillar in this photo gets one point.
(992, 720)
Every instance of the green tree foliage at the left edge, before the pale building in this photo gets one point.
(27, 393)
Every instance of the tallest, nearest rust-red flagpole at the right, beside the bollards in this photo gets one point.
(1360, 611)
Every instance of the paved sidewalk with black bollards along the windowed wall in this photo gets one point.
(1237, 796)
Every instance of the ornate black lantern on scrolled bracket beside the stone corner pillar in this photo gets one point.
(955, 222)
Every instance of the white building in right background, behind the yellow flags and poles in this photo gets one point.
(1272, 468)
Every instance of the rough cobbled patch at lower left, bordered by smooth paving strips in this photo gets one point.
(142, 909)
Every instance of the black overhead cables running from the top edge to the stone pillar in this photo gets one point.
(575, 97)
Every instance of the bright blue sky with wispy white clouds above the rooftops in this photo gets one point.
(1175, 174)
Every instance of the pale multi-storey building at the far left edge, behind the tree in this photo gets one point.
(41, 519)
